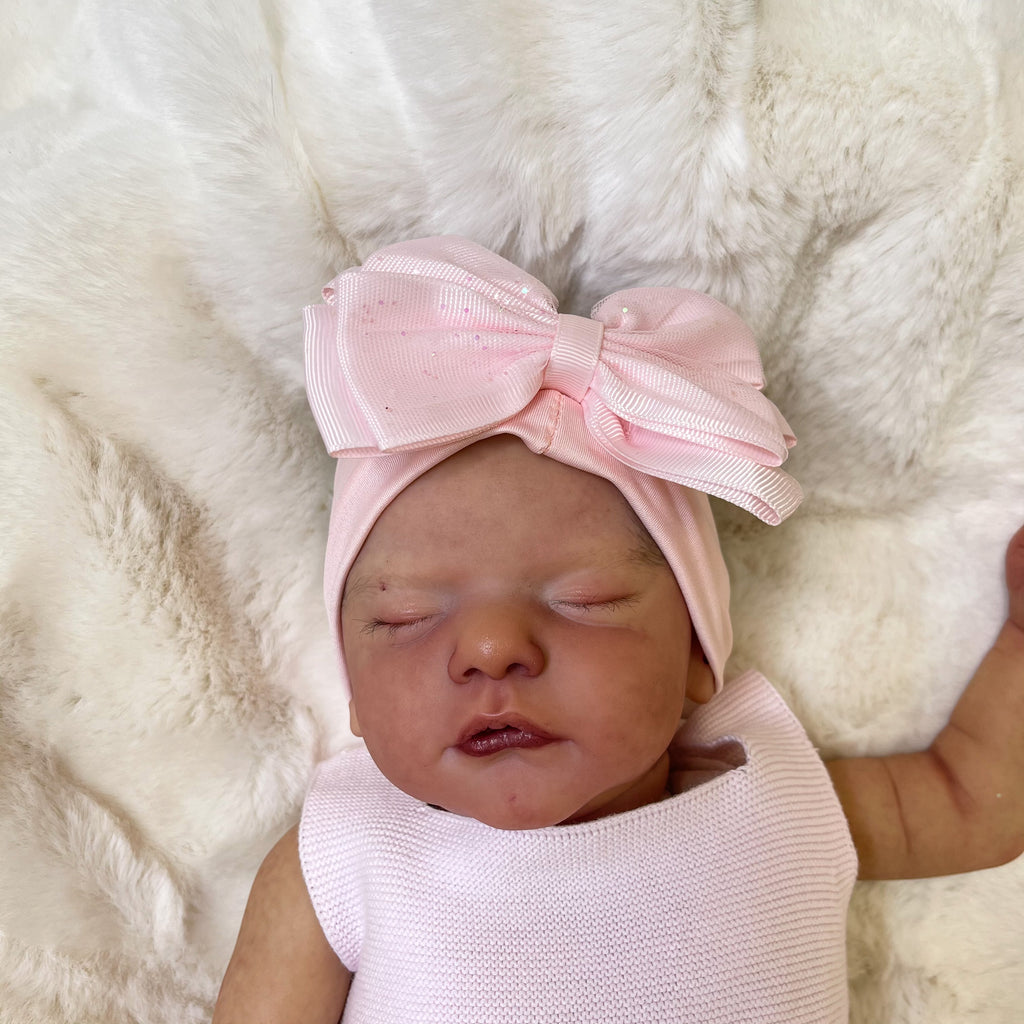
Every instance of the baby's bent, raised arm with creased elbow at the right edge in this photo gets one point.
(958, 806)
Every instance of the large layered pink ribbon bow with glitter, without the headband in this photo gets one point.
(441, 339)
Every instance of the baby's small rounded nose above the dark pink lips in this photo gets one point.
(495, 642)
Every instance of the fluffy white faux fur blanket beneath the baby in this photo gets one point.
(180, 179)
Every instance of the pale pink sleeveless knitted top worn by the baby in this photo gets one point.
(722, 905)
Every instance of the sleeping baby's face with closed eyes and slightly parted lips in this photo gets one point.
(516, 654)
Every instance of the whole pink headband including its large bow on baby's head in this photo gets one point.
(435, 345)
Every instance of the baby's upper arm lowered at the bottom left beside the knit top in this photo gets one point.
(283, 969)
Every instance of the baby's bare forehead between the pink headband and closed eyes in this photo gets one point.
(467, 514)
